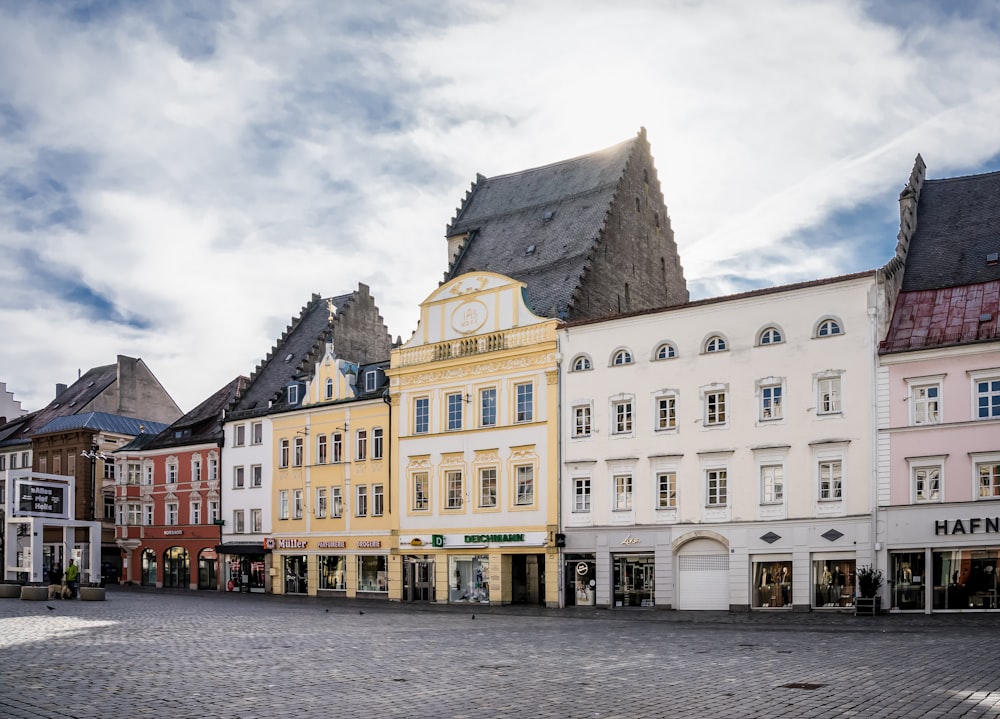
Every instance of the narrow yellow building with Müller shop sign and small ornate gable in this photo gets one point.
(332, 524)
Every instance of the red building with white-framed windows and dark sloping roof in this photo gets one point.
(168, 502)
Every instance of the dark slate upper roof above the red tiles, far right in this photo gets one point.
(958, 226)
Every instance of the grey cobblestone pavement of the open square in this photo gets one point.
(157, 654)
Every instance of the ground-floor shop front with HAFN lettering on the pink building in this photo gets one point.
(943, 558)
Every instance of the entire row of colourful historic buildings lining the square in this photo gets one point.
(565, 427)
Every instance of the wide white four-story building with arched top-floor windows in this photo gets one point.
(719, 454)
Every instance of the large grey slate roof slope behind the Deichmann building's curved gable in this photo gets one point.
(539, 226)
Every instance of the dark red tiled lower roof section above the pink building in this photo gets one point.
(948, 316)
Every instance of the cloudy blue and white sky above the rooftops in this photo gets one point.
(178, 178)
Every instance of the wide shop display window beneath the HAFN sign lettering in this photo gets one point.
(966, 578)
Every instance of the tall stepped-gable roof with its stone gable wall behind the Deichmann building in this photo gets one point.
(589, 236)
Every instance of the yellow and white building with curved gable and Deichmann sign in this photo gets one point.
(475, 416)
